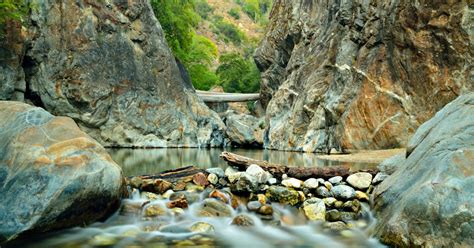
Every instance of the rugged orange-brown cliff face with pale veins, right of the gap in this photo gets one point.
(361, 74)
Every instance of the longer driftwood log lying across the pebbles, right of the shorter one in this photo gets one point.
(277, 170)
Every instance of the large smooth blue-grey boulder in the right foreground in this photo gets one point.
(429, 199)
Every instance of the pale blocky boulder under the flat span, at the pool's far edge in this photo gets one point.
(244, 130)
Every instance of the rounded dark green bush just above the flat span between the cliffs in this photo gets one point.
(238, 74)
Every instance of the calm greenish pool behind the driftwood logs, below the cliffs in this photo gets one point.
(151, 161)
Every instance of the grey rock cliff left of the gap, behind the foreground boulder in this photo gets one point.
(106, 65)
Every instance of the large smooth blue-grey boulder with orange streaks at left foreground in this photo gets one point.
(52, 175)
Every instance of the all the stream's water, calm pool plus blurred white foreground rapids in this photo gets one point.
(288, 228)
